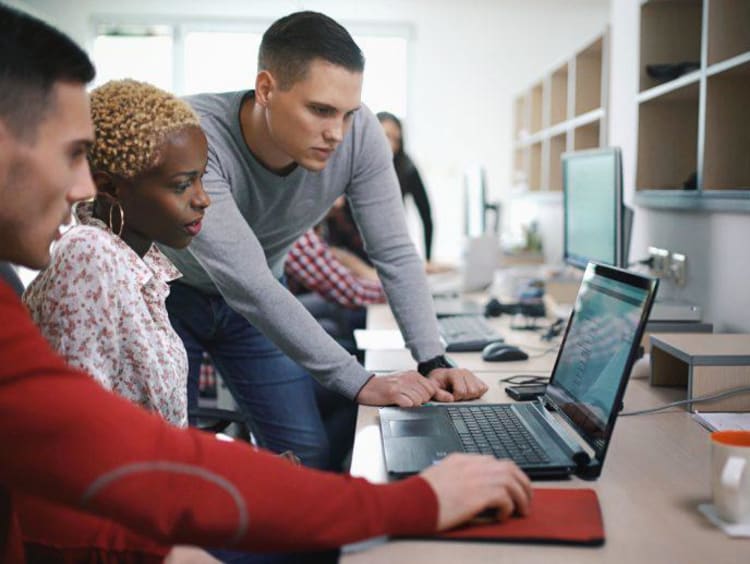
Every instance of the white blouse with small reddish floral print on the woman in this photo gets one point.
(102, 307)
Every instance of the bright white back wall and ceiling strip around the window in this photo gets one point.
(469, 59)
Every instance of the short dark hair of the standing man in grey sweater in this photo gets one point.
(292, 42)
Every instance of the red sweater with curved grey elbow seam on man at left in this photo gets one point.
(65, 439)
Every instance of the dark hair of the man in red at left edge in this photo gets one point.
(33, 57)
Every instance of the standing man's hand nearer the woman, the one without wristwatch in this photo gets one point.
(404, 389)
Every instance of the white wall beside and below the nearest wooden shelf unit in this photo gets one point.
(715, 243)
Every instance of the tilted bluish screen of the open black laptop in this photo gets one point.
(597, 352)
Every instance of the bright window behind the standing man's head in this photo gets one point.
(188, 58)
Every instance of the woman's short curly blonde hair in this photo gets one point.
(131, 121)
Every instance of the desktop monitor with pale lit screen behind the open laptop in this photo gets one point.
(596, 223)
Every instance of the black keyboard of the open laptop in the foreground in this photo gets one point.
(496, 430)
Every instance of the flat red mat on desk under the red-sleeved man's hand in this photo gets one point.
(557, 516)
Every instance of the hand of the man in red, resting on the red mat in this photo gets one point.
(466, 484)
